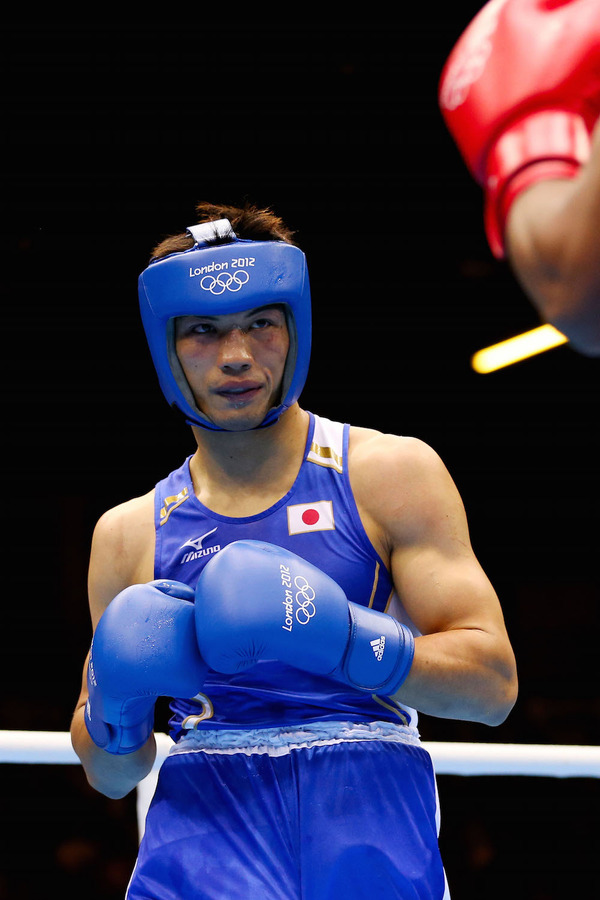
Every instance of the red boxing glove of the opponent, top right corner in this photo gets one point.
(520, 94)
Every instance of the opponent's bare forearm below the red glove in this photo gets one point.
(552, 245)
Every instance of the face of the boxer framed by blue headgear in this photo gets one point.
(234, 364)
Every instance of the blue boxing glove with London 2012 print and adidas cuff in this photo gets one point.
(256, 601)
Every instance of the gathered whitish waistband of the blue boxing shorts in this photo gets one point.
(279, 741)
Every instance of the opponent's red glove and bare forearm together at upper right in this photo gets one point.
(520, 93)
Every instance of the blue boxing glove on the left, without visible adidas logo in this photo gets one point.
(144, 647)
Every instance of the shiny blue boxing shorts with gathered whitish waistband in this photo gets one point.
(324, 812)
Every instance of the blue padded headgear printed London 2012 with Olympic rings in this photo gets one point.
(217, 279)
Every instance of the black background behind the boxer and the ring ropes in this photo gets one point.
(111, 133)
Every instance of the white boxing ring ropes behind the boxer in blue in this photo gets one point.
(469, 759)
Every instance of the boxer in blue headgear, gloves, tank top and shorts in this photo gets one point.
(299, 587)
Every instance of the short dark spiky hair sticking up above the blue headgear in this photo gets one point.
(247, 221)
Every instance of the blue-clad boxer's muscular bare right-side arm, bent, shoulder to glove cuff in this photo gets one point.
(463, 666)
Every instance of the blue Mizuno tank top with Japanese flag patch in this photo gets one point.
(318, 520)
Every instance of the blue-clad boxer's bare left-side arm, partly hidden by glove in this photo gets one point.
(121, 554)
